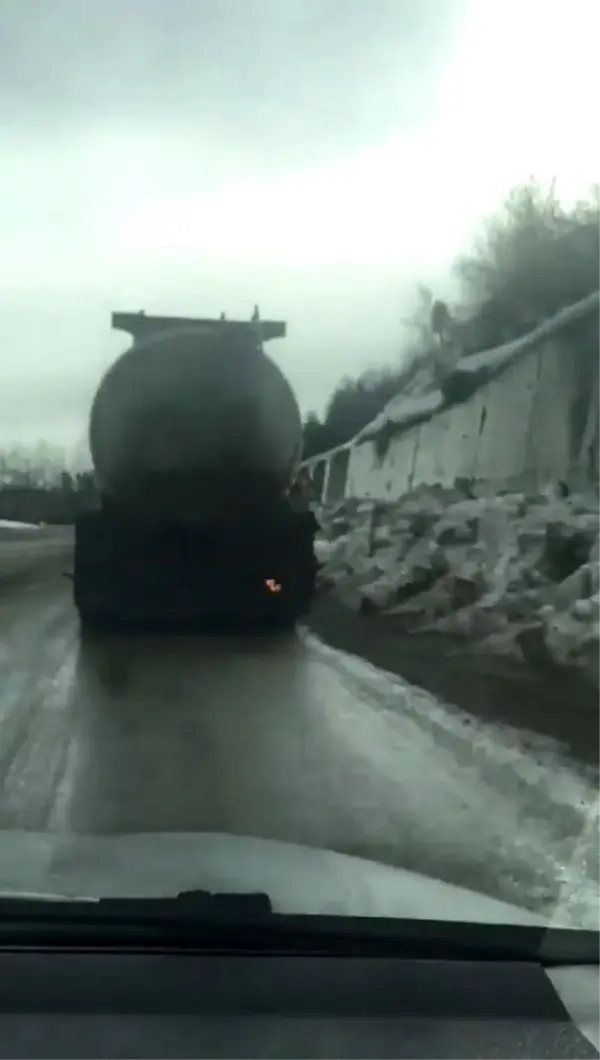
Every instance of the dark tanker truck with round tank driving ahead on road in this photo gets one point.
(196, 437)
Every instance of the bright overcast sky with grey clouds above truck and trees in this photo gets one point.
(319, 157)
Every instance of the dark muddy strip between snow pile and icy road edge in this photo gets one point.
(560, 704)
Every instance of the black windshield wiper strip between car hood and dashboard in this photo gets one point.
(246, 924)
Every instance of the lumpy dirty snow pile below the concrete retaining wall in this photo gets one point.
(516, 574)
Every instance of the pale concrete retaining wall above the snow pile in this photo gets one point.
(536, 420)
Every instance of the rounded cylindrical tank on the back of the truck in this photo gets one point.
(191, 421)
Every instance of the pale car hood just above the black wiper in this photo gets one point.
(297, 879)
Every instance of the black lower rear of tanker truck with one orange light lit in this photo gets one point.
(254, 575)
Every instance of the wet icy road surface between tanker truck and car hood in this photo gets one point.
(286, 740)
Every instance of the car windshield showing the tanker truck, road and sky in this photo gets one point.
(301, 455)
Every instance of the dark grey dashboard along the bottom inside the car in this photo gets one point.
(109, 1005)
